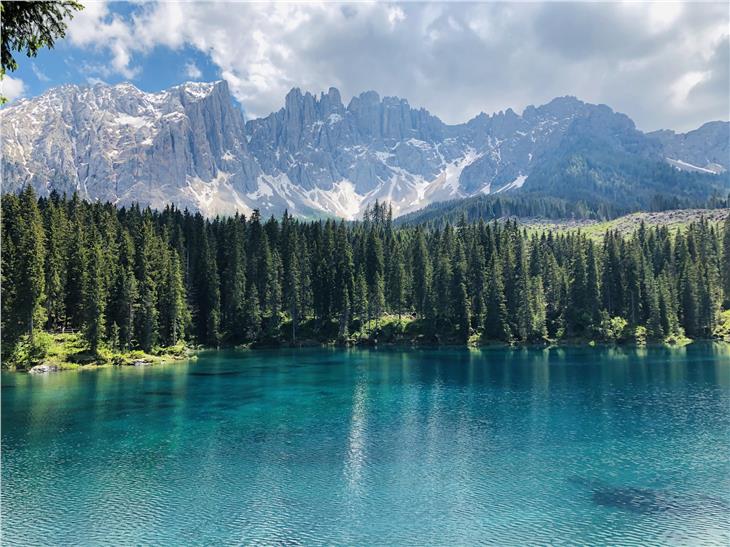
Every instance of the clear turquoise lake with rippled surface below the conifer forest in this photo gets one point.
(587, 446)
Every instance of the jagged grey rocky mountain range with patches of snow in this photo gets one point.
(190, 145)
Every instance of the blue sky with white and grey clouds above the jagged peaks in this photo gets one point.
(664, 64)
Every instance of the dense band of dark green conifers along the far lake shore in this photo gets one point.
(131, 278)
